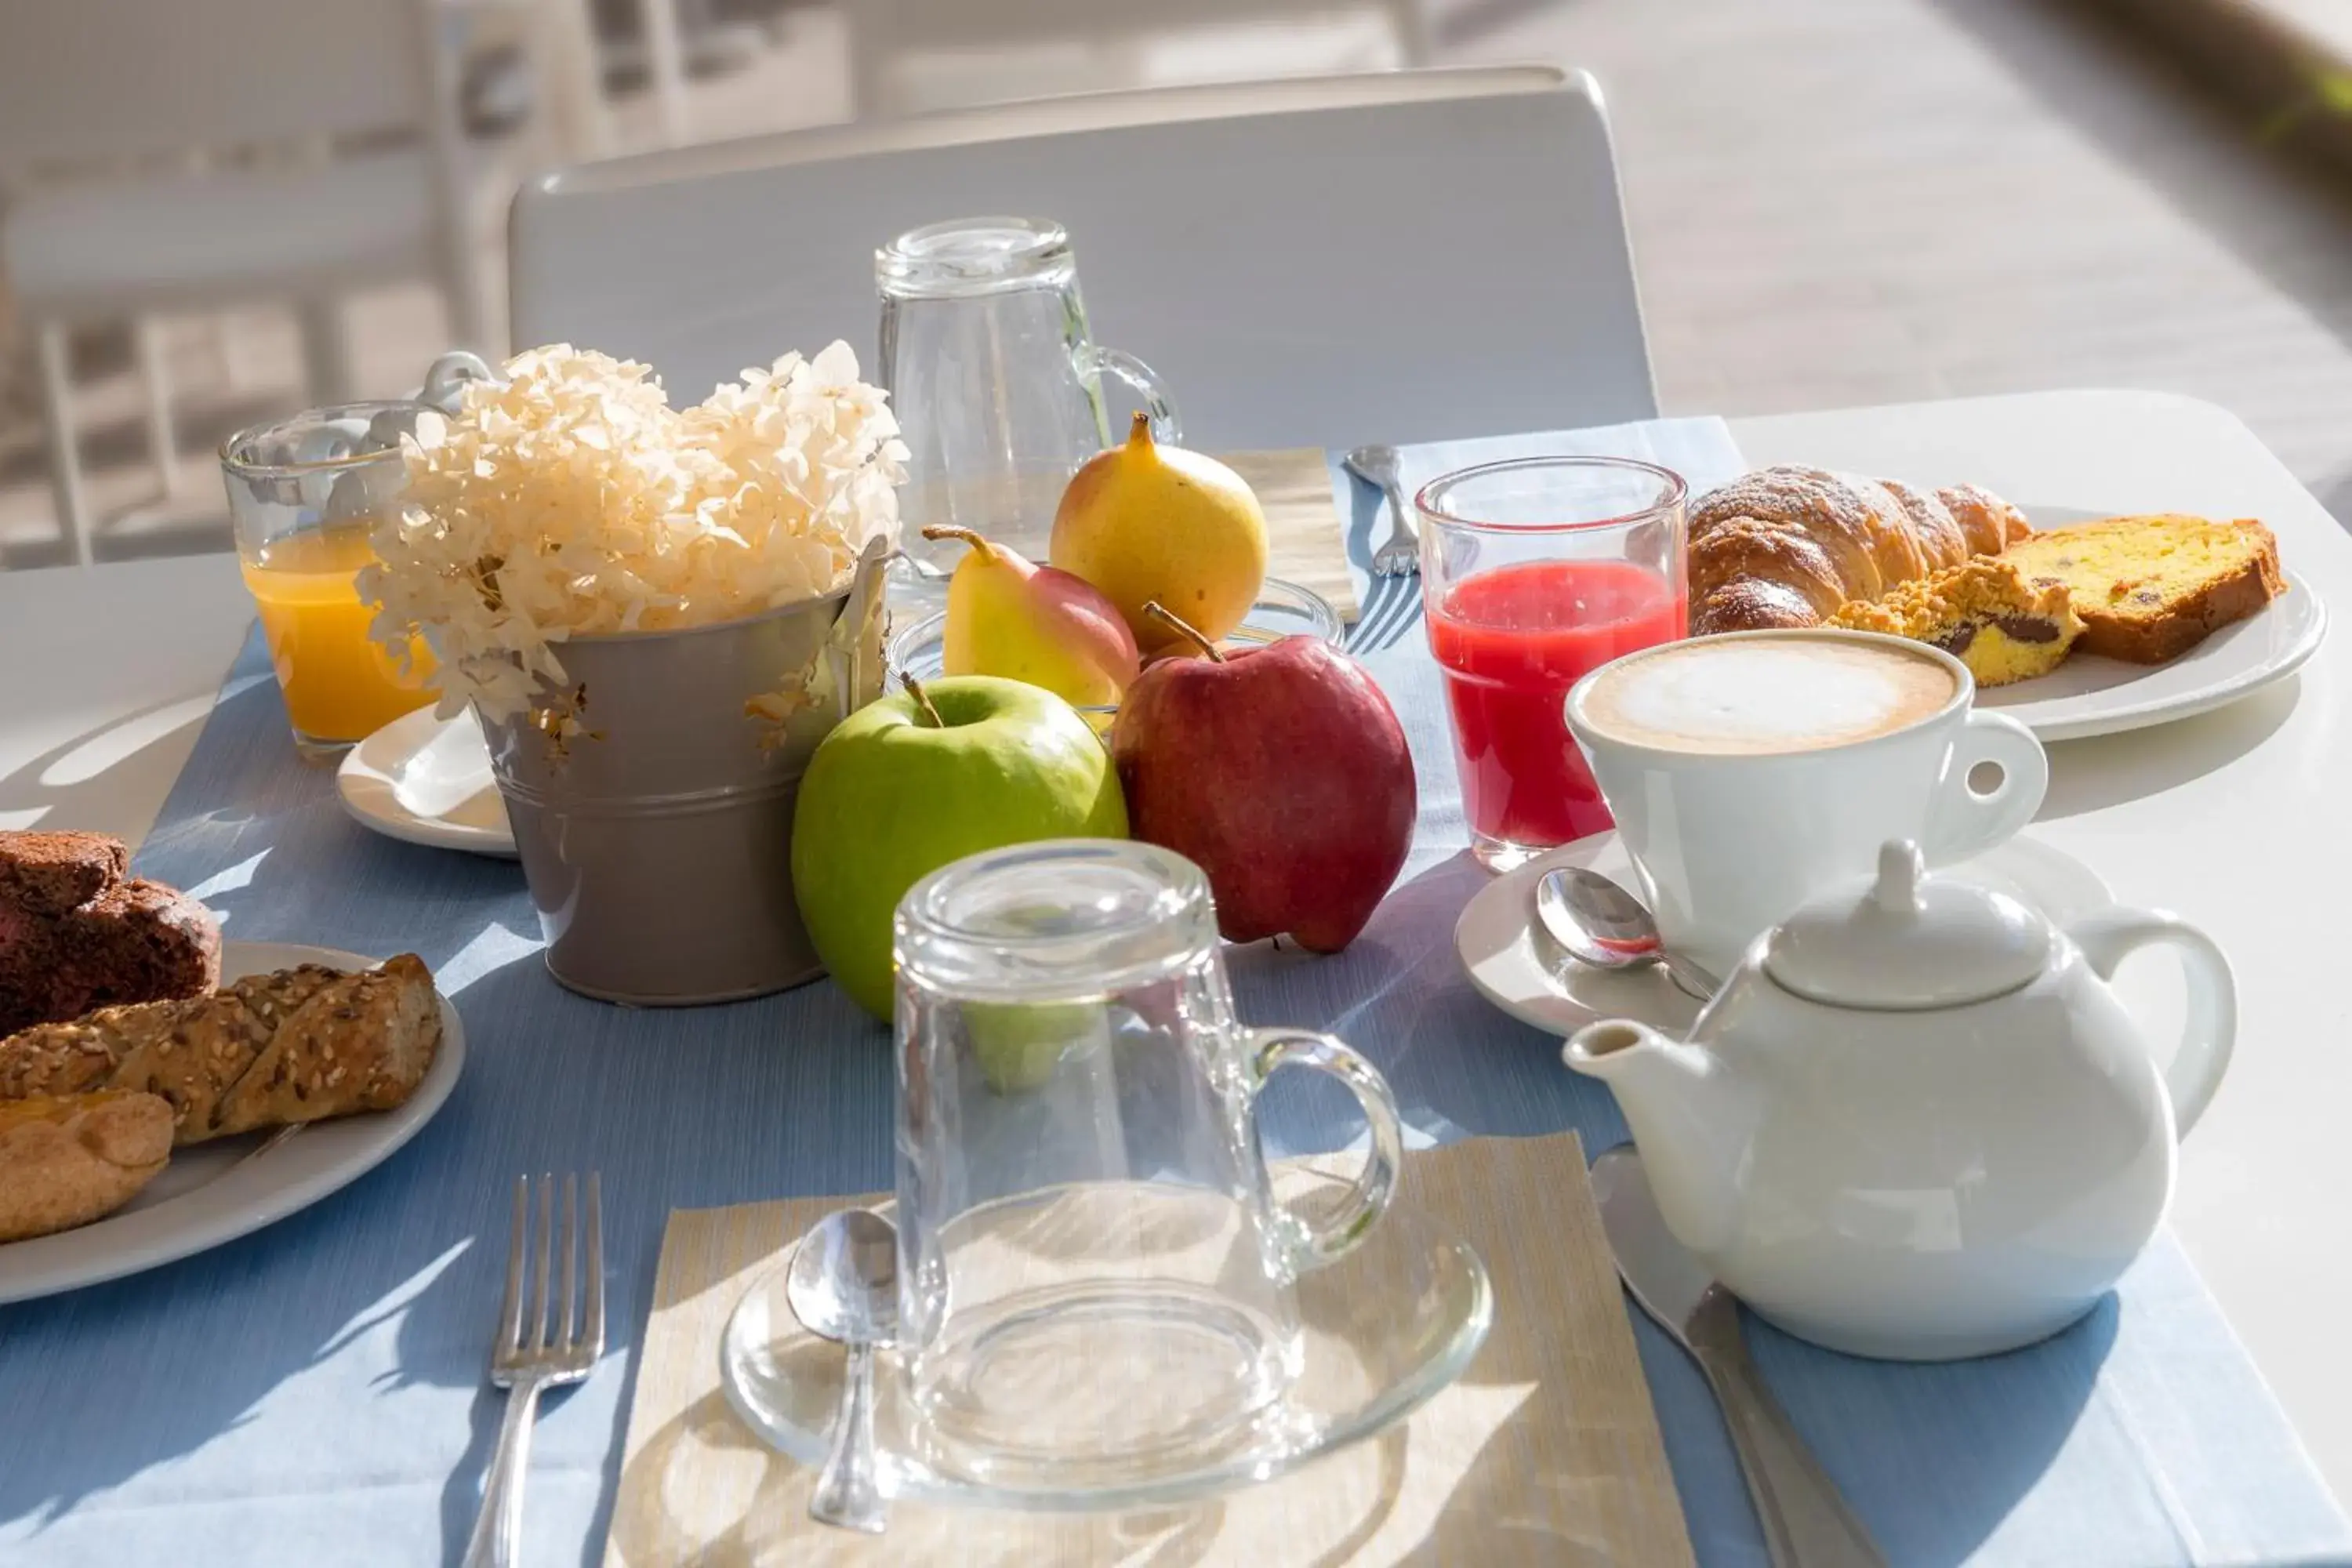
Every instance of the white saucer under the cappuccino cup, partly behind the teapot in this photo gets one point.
(1516, 965)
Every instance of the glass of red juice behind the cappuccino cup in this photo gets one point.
(1532, 575)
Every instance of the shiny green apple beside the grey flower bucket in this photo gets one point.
(893, 796)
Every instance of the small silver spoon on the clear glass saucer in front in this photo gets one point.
(846, 1287)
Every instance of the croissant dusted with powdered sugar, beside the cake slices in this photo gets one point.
(1786, 547)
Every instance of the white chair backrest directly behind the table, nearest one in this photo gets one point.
(1311, 262)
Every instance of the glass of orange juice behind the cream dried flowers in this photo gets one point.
(305, 495)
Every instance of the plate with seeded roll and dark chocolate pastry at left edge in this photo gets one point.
(166, 1092)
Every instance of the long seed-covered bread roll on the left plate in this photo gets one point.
(300, 1045)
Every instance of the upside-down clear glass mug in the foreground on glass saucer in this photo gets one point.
(1095, 1280)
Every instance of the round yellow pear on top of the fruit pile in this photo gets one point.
(1158, 523)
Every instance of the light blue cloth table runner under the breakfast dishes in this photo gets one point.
(314, 1393)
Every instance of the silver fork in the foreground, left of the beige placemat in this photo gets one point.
(537, 1353)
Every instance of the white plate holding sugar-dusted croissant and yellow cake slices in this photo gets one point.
(2078, 624)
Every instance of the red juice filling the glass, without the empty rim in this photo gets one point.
(1511, 643)
